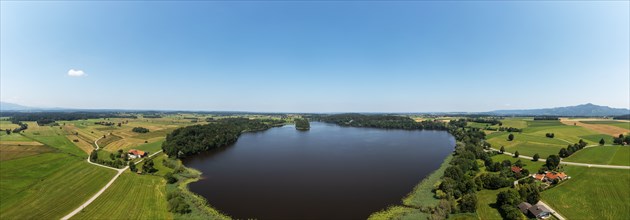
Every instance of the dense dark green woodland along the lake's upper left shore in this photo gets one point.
(219, 133)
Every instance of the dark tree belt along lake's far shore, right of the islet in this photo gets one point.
(379, 121)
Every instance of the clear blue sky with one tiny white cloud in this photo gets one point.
(315, 56)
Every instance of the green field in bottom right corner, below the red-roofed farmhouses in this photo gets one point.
(596, 193)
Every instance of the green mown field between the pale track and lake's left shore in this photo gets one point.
(132, 196)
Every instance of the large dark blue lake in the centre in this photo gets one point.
(329, 172)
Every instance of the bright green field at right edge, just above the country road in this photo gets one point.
(613, 155)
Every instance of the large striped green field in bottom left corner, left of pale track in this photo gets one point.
(47, 186)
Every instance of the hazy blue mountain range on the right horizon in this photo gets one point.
(578, 110)
